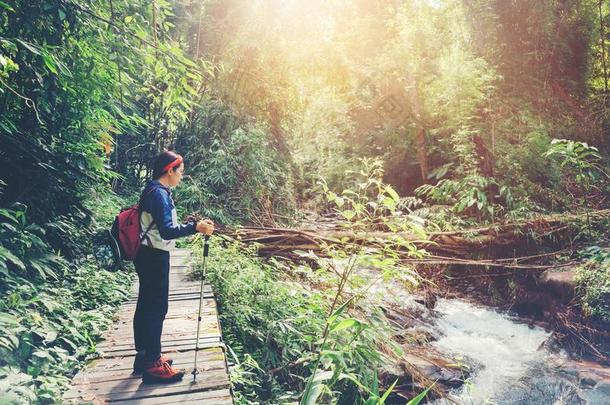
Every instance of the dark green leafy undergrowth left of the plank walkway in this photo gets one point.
(53, 310)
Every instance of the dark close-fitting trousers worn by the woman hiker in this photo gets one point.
(152, 266)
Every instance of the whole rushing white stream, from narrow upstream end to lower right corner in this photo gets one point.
(509, 361)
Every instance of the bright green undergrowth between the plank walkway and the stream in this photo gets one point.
(273, 327)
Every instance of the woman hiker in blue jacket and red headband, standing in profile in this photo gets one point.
(152, 266)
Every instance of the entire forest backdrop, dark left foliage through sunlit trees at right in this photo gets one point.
(463, 94)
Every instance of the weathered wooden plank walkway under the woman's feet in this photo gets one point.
(110, 377)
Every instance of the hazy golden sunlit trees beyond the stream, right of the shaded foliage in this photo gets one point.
(468, 95)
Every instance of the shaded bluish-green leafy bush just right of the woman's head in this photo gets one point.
(235, 176)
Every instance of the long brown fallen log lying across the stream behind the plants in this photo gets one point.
(449, 247)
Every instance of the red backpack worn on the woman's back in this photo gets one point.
(127, 232)
